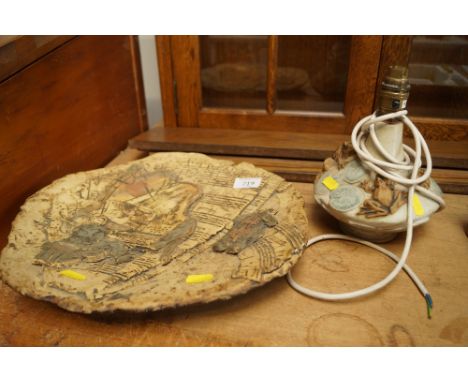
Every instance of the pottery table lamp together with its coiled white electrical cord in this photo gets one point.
(375, 185)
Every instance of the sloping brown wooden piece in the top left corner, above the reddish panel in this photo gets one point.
(20, 51)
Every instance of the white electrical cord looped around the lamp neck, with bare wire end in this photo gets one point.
(387, 169)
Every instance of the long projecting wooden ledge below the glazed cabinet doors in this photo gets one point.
(275, 144)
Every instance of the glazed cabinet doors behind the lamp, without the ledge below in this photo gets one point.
(313, 84)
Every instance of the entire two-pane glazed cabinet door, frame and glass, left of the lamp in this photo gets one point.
(291, 83)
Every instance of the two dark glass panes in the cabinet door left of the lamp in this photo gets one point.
(311, 72)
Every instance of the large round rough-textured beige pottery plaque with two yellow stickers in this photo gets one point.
(163, 231)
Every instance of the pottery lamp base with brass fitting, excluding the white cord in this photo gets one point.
(367, 204)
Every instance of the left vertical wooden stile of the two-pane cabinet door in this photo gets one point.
(186, 62)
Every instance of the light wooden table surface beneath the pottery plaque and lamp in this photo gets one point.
(275, 314)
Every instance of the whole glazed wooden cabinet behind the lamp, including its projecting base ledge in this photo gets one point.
(273, 99)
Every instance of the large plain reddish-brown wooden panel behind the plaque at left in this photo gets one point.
(72, 110)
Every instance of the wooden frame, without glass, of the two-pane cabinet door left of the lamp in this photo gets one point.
(181, 91)
